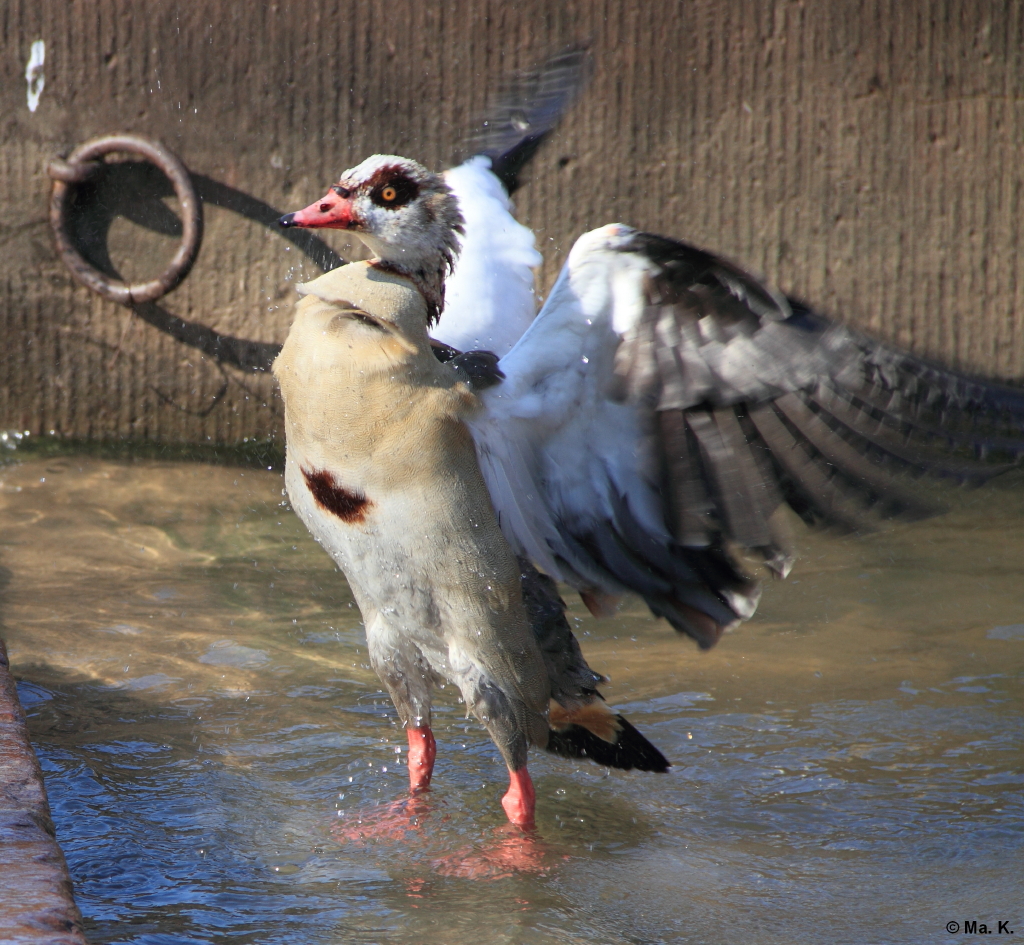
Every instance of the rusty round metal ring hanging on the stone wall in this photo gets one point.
(82, 164)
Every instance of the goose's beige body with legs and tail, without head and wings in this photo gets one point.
(382, 470)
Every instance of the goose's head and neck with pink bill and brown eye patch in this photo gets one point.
(407, 217)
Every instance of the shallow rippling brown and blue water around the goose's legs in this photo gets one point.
(849, 766)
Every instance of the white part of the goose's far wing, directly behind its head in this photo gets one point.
(489, 298)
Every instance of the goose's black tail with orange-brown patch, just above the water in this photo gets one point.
(595, 733)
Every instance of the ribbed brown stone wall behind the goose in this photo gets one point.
(865, 155)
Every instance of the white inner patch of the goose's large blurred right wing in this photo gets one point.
(559, 454)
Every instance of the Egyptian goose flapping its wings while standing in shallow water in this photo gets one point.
(650, 423)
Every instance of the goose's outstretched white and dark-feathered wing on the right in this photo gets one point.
(665, 404)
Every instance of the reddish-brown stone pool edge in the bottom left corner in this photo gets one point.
(37, 904)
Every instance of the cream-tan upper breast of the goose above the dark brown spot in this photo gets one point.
(362, 388)
